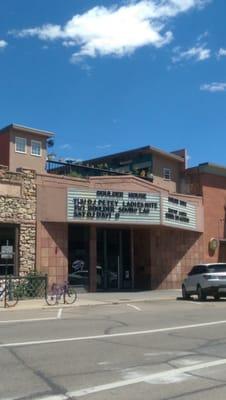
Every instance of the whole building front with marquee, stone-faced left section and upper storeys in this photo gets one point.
(123, 231)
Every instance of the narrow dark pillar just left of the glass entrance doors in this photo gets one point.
(92, 259)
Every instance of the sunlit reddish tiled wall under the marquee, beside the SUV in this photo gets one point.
(173, 253)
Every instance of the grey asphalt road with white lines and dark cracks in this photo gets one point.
(148, 350)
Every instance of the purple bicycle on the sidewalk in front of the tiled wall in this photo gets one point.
(57, 292)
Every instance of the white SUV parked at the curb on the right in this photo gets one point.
(205, 280)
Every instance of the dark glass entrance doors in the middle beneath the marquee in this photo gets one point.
(113, 259)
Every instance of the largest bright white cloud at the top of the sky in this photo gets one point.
(117, 30)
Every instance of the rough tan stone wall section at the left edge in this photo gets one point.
(18, 207)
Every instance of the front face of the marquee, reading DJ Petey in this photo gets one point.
(114, 206)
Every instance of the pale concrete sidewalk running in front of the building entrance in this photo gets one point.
(100, 298)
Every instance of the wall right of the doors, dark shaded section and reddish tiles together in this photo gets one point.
(163, 257)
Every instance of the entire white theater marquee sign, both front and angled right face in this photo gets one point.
(129, 208)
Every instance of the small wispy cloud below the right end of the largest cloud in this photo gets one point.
(197, 53)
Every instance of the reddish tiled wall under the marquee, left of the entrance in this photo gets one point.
(54, 251)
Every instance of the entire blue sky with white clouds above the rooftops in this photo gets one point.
(107, 76)
